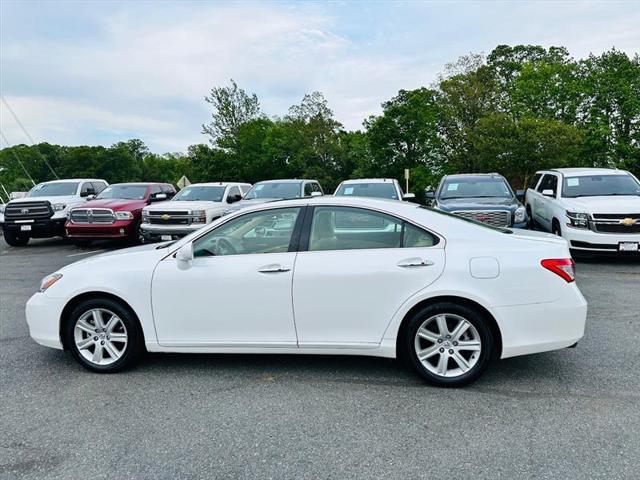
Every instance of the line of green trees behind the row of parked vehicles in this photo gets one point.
(514, 111)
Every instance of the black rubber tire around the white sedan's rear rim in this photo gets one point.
(472, 316)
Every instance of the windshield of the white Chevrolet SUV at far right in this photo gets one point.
(600, 186)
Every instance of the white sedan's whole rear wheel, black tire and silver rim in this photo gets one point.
(449, 345)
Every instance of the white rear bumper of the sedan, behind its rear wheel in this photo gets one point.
(542, 327)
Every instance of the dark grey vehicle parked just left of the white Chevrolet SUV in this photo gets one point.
(484, 197)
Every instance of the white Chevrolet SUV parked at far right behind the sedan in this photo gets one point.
(596, 209)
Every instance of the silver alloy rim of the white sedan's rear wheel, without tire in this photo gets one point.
(447, 345)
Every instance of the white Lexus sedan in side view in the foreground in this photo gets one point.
(343, 276)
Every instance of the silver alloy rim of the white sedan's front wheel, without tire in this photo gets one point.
(100, 336)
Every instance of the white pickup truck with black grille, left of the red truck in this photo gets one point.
(43, 212)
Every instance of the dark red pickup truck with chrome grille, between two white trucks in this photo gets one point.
(115, 213)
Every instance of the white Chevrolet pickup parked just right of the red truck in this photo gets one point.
(192, 208)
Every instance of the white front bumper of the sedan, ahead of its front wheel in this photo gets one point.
(43, 318)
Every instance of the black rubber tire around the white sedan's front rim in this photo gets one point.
(135, 341)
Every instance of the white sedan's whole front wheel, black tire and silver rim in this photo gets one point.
(103, 336)
